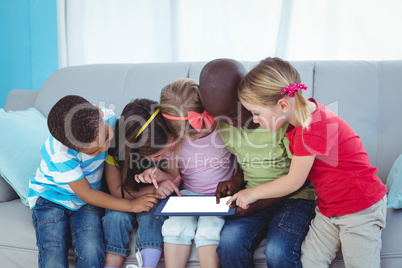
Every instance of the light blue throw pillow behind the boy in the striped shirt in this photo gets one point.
(21, 136)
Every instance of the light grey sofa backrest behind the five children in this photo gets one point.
(364, 93)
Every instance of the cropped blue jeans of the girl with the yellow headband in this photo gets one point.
(117, 228)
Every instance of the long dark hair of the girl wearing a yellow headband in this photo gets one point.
(128, 146)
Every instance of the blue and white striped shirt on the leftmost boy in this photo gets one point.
(61, 165)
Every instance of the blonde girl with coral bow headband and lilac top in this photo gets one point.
(202, 161)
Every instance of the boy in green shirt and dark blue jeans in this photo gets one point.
(272, 218)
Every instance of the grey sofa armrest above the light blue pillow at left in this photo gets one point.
(20, 99)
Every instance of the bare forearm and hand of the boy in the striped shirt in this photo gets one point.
(83, 190)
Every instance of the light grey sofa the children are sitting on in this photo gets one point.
(365, 93)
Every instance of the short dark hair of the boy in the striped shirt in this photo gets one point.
(74, 122)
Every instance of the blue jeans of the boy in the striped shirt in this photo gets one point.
(53, 225)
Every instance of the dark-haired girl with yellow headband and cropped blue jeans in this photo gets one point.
(142, 139)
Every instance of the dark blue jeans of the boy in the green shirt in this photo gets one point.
(285, 225)
